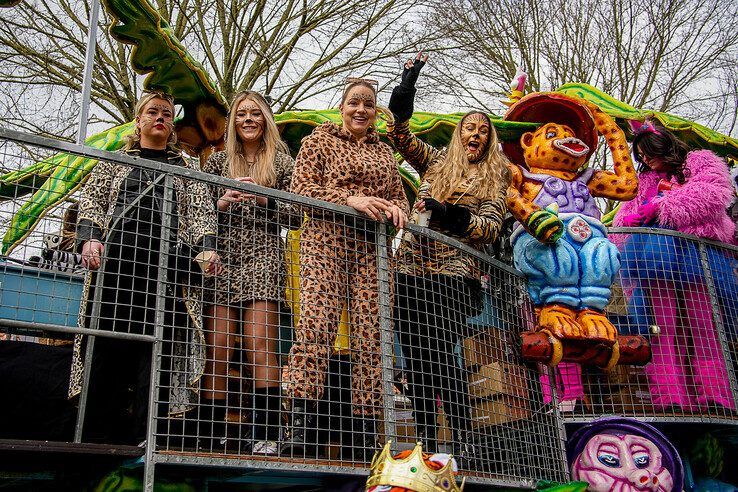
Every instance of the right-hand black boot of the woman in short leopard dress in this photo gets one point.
(266, 420)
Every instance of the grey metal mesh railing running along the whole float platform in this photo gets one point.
(328, 320)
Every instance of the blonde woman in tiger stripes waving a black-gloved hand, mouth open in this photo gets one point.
(463, 188)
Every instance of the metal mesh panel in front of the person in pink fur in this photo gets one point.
(679, 292)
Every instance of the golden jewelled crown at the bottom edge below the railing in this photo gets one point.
(411, 472)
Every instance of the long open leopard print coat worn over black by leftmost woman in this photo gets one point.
(197, 219)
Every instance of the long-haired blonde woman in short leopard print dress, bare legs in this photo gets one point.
(244, 301)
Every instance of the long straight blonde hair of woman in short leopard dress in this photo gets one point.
(262, 170)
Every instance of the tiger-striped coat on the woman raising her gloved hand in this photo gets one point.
(418, 255)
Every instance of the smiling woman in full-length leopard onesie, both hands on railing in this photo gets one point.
(348, 165)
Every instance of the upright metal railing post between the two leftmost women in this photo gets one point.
(156, 349)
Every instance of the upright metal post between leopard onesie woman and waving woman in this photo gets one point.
(387, 340)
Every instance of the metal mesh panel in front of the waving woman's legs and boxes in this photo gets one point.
(462, 387)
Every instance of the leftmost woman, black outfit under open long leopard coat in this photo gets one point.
(119, 229)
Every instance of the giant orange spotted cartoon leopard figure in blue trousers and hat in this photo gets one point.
(560, 243)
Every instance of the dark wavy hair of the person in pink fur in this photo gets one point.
(663, 144)
